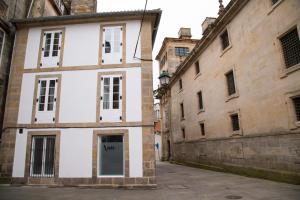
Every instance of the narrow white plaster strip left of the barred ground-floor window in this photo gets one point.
(20, 154)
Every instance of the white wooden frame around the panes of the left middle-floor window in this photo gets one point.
(45, 115)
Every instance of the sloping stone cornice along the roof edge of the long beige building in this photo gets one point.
(231, 10)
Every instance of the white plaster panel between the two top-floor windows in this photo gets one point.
(81, 45)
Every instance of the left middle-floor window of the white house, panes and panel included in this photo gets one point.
(46, 100)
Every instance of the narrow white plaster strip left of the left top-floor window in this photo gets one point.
(32, 48)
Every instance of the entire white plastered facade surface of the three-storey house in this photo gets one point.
(76, 94)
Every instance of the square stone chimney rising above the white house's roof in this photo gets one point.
(83, 7)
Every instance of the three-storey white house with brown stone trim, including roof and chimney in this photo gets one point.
(79, 107)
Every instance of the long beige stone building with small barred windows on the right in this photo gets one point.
(234, 101)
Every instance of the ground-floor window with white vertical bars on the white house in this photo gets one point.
(42, 156)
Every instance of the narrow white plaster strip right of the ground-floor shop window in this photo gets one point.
(135, 152)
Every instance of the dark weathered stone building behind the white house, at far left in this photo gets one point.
(19, 9)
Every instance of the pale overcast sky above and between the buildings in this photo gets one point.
(176, 14)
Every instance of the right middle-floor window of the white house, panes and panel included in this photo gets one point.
(111, 97)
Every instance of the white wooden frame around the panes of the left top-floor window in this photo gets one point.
(51, 60)
